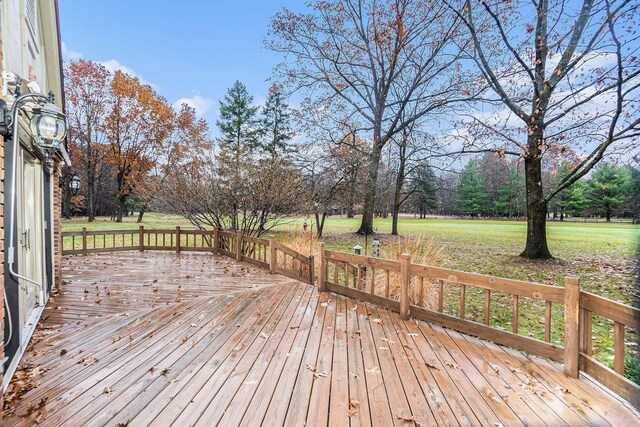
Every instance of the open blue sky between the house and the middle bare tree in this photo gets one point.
(190, 49)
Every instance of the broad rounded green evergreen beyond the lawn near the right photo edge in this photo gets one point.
(607, 189)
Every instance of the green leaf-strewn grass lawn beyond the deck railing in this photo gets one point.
(604, 256)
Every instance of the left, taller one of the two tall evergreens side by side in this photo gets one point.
(238, 123)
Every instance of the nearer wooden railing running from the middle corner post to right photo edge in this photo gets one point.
(446, 297)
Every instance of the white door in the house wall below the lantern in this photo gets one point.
(30, 236)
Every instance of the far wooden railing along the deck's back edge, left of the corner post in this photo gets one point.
(268, 254)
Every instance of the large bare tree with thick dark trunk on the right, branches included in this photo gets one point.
(564, 74)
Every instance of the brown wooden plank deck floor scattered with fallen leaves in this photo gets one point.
(159, 339)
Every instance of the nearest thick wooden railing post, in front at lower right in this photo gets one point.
(571, 326)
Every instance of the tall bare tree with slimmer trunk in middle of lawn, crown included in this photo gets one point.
(377, 60)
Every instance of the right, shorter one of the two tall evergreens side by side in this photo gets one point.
(276, 125)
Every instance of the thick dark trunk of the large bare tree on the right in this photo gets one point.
(536, 245)
